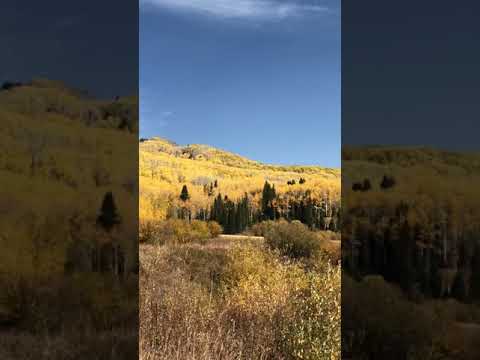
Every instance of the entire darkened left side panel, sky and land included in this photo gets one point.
(69, 180)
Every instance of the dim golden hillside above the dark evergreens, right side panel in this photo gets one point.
(424, 177)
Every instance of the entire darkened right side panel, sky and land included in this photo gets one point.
(410, 175)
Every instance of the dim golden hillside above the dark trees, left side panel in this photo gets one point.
(59, 155)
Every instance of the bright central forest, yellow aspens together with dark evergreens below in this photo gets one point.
(218, 182)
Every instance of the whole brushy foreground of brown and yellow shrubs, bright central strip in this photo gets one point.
(243, 301)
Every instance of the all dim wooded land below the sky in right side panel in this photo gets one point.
(410, 230)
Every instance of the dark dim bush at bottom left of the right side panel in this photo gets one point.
(377, 318)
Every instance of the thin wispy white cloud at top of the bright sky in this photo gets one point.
(240, 9)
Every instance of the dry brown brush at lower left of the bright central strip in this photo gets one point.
(179, 316)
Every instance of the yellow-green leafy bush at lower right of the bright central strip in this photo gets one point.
(297, 312)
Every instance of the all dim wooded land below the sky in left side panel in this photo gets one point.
(69, 229)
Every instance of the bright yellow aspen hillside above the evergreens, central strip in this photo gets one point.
(165, 167)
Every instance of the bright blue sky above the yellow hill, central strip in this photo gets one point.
(256, 77)
